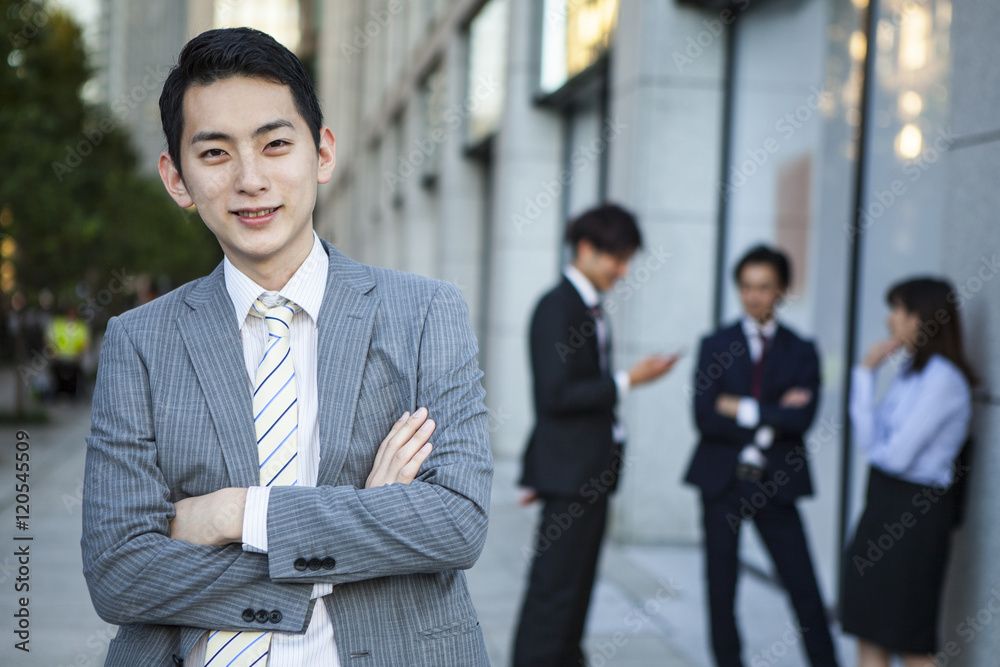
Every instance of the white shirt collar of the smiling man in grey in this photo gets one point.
(306, 287)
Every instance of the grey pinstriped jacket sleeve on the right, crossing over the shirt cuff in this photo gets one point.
(436, 523)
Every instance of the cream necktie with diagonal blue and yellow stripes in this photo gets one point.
(276, 423)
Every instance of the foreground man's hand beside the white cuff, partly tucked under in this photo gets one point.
(214, 519)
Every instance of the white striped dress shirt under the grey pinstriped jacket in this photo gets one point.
(305, 288)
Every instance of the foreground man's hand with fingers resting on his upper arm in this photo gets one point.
(400, 455)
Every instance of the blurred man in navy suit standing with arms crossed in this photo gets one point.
(757, 387)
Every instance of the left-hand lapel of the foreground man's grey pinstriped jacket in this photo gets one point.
(211, 334)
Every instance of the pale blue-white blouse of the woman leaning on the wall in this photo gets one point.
(920, 426)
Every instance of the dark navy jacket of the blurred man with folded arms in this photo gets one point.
(725, 367)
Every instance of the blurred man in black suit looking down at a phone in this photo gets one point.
(573, 458)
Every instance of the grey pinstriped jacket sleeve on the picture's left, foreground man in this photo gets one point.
(136, 573)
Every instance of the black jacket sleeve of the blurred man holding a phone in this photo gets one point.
(554, 344)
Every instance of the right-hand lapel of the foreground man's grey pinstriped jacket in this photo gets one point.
(346, 320)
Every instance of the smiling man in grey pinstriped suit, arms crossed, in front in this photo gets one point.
(242, 502)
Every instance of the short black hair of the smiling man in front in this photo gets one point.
(215, 55)
